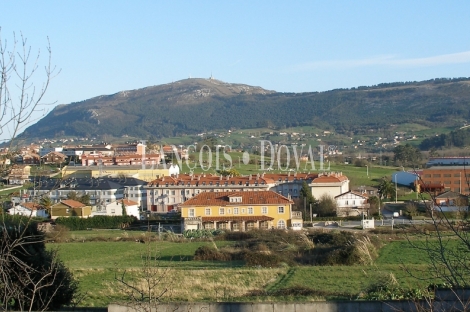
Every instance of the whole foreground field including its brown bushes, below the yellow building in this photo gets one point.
(251, 266)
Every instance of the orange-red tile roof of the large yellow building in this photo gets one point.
(248, 198)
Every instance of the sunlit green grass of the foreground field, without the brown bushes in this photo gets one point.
(95, 264)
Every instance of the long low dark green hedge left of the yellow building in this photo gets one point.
(97, 222)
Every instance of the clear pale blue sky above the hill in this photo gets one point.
(103, 47)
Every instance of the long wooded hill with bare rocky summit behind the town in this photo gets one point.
(197, 105)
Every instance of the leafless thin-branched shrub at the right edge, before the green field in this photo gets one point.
(445, 240)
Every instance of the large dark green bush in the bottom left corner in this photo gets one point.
(32, 278)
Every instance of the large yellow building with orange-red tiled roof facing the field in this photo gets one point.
(239, 211)
